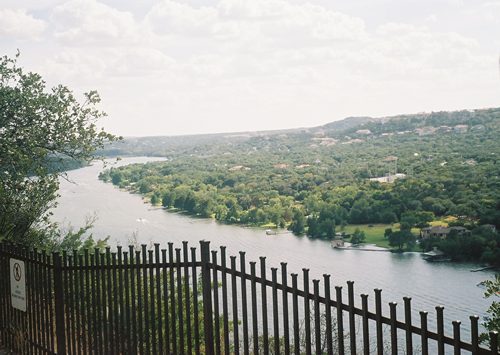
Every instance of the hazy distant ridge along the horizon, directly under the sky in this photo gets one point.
(352, 127)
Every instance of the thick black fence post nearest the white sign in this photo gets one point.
(59, 304)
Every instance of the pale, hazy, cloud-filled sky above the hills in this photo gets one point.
(171, 67)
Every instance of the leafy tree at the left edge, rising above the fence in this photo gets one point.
(40, 129)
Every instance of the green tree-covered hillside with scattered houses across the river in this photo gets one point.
(450, 160)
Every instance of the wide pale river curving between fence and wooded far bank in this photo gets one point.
(123, 216)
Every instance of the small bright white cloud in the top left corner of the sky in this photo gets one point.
(19, 24)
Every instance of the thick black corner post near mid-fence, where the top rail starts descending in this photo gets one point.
(207, 298)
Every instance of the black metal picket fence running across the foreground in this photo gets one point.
(176, 301)
